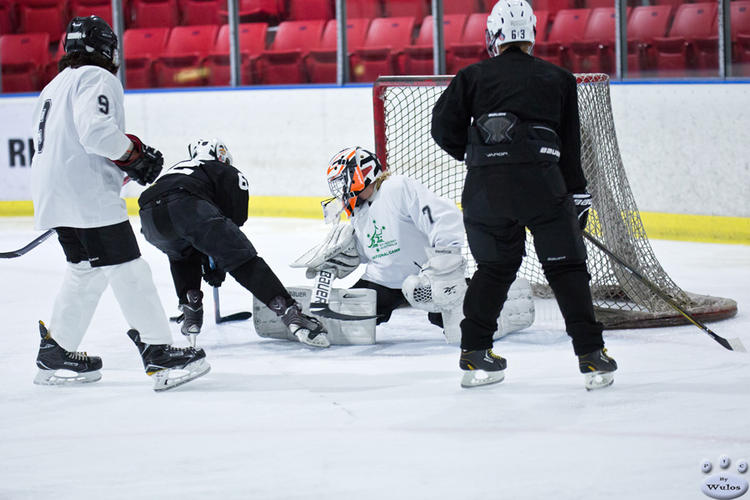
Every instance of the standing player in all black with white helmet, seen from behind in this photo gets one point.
(514, 120)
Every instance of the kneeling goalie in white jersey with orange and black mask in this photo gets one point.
(410, 241)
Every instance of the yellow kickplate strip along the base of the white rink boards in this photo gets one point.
(682, 227)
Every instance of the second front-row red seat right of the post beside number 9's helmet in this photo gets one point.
(180, 64)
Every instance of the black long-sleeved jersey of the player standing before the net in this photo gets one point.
(532, 89)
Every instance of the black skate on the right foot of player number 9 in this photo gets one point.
(170, 366)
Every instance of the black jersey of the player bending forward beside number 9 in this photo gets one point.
(213, 181)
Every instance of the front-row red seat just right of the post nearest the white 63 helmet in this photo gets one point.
(644, 24)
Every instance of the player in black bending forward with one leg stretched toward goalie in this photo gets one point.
(193, 213)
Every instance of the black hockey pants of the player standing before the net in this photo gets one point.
(499, 202)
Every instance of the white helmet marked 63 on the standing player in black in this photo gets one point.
(510, 21)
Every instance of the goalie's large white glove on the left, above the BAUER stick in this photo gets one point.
(337, 254)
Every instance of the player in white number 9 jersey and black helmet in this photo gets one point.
(82, 157)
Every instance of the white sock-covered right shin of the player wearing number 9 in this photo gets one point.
(139, 301)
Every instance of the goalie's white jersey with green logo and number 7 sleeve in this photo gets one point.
(396, 225)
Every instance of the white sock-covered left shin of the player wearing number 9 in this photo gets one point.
(75, 304)
